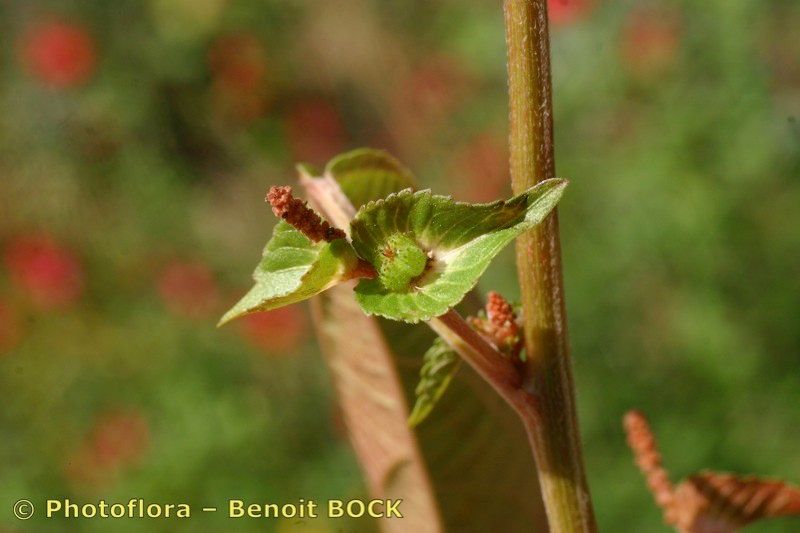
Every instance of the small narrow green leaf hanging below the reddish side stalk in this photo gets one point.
(439, 365)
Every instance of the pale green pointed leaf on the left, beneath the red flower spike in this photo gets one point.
(293, 268)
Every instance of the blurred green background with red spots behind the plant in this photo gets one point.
(137, 139)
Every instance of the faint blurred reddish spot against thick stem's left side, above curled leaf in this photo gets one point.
(480, 172)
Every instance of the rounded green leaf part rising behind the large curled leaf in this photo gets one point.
(367, 174)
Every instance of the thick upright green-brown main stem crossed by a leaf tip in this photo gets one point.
(552, 422)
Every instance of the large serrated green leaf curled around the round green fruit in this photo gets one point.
(461, 239)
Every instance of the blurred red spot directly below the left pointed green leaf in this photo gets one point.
(277, 331)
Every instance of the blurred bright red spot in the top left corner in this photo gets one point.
(59, 54)
